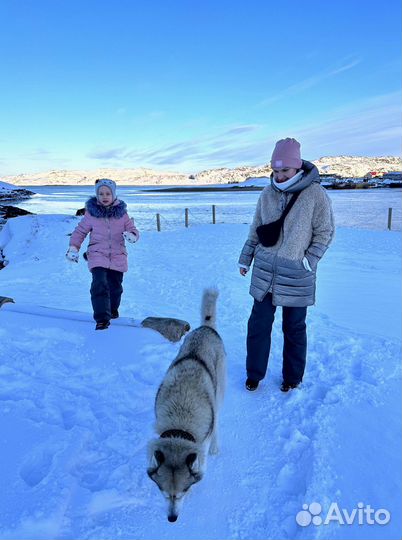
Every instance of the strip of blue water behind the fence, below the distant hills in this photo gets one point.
(352, 208)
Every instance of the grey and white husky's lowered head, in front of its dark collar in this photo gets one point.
(174, 465)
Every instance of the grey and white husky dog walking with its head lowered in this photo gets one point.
(186, 410)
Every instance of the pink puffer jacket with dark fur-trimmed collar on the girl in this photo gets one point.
(106, 225)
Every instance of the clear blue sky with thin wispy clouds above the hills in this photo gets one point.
(187, 86)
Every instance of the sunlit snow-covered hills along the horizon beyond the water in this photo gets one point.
(345, 166)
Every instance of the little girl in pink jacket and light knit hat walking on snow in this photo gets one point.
(108, 223)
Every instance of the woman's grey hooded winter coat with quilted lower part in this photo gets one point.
(307, 232)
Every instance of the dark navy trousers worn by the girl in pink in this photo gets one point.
(106, 291)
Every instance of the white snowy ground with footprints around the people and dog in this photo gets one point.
(76, 406)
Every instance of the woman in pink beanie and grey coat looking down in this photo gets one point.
(284, 273)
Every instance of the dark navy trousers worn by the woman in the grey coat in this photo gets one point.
(259, 340)
